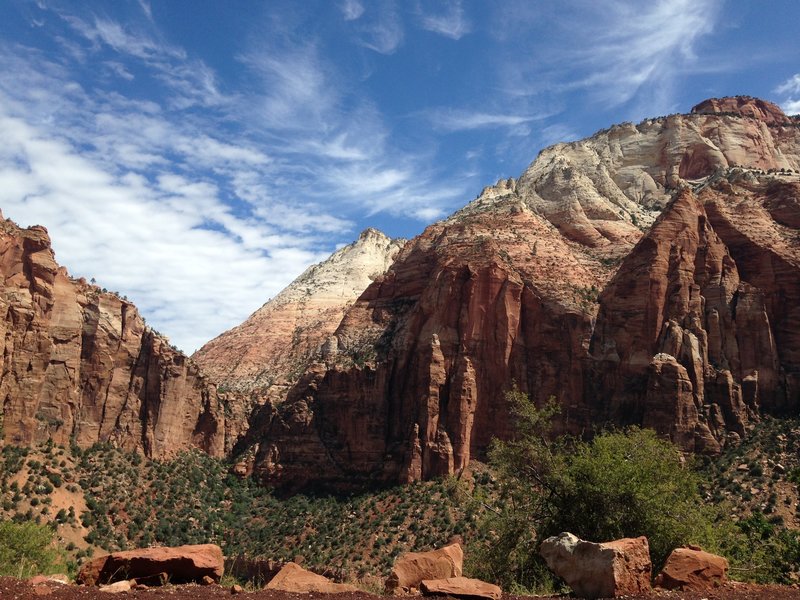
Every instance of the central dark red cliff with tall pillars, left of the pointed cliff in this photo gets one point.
(413, 379)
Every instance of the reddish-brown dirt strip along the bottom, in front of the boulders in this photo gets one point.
(16, 589)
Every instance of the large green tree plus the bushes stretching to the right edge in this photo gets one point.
(620, 484)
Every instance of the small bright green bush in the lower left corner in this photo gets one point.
(27, 549)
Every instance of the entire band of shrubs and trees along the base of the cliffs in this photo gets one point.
(741, 504)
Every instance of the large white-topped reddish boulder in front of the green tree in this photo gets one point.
(604, 570)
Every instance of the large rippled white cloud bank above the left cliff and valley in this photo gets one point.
(197, 215)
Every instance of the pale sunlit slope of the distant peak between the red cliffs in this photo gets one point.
(267, 352)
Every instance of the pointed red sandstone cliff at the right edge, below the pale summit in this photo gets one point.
(697, 332)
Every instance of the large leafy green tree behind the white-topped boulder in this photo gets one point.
(620, 484)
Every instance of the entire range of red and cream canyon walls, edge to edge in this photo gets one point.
(647, 275)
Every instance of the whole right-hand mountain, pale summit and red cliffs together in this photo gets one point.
(695, 333)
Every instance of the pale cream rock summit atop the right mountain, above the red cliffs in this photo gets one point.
(598, 190)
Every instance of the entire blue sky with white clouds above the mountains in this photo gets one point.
(196, 156)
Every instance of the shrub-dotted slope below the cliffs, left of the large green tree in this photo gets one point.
(135, 502)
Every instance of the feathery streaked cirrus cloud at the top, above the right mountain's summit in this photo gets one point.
(616, 52)
